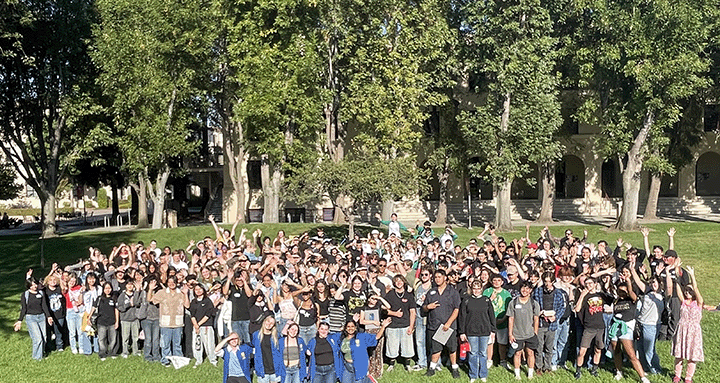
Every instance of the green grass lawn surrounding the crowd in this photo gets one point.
(696, 243)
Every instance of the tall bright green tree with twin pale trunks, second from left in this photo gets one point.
(155, 62)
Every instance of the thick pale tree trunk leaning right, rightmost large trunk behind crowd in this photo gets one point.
(631, 177)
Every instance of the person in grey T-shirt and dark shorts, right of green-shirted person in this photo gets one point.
(523, 322)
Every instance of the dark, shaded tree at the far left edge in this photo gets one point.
(46, 78)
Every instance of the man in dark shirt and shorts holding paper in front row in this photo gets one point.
(442, 303)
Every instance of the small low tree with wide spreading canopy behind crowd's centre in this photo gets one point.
(362, 180)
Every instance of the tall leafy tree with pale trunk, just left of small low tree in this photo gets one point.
(271, 47)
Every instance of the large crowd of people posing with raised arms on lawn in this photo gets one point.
(311, 307)
